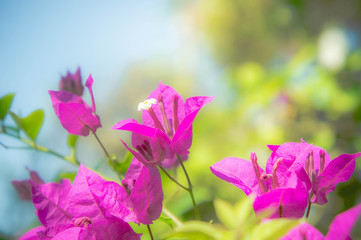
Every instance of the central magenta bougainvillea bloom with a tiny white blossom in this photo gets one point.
(167, 126)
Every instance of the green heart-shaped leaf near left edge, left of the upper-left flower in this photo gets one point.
(31, 124)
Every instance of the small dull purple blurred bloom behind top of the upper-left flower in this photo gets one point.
(72, 83)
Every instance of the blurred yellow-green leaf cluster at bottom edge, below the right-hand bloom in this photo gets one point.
(237, 222)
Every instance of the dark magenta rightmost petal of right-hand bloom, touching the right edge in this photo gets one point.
(338, 170)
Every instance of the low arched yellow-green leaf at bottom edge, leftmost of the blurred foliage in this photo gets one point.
(198, 231)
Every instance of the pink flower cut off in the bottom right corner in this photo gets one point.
(339, 229)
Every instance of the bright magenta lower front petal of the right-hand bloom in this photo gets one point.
(289, 202)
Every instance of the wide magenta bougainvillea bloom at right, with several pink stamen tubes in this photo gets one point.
(297, 175)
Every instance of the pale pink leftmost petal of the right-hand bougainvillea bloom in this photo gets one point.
(239, 172)
